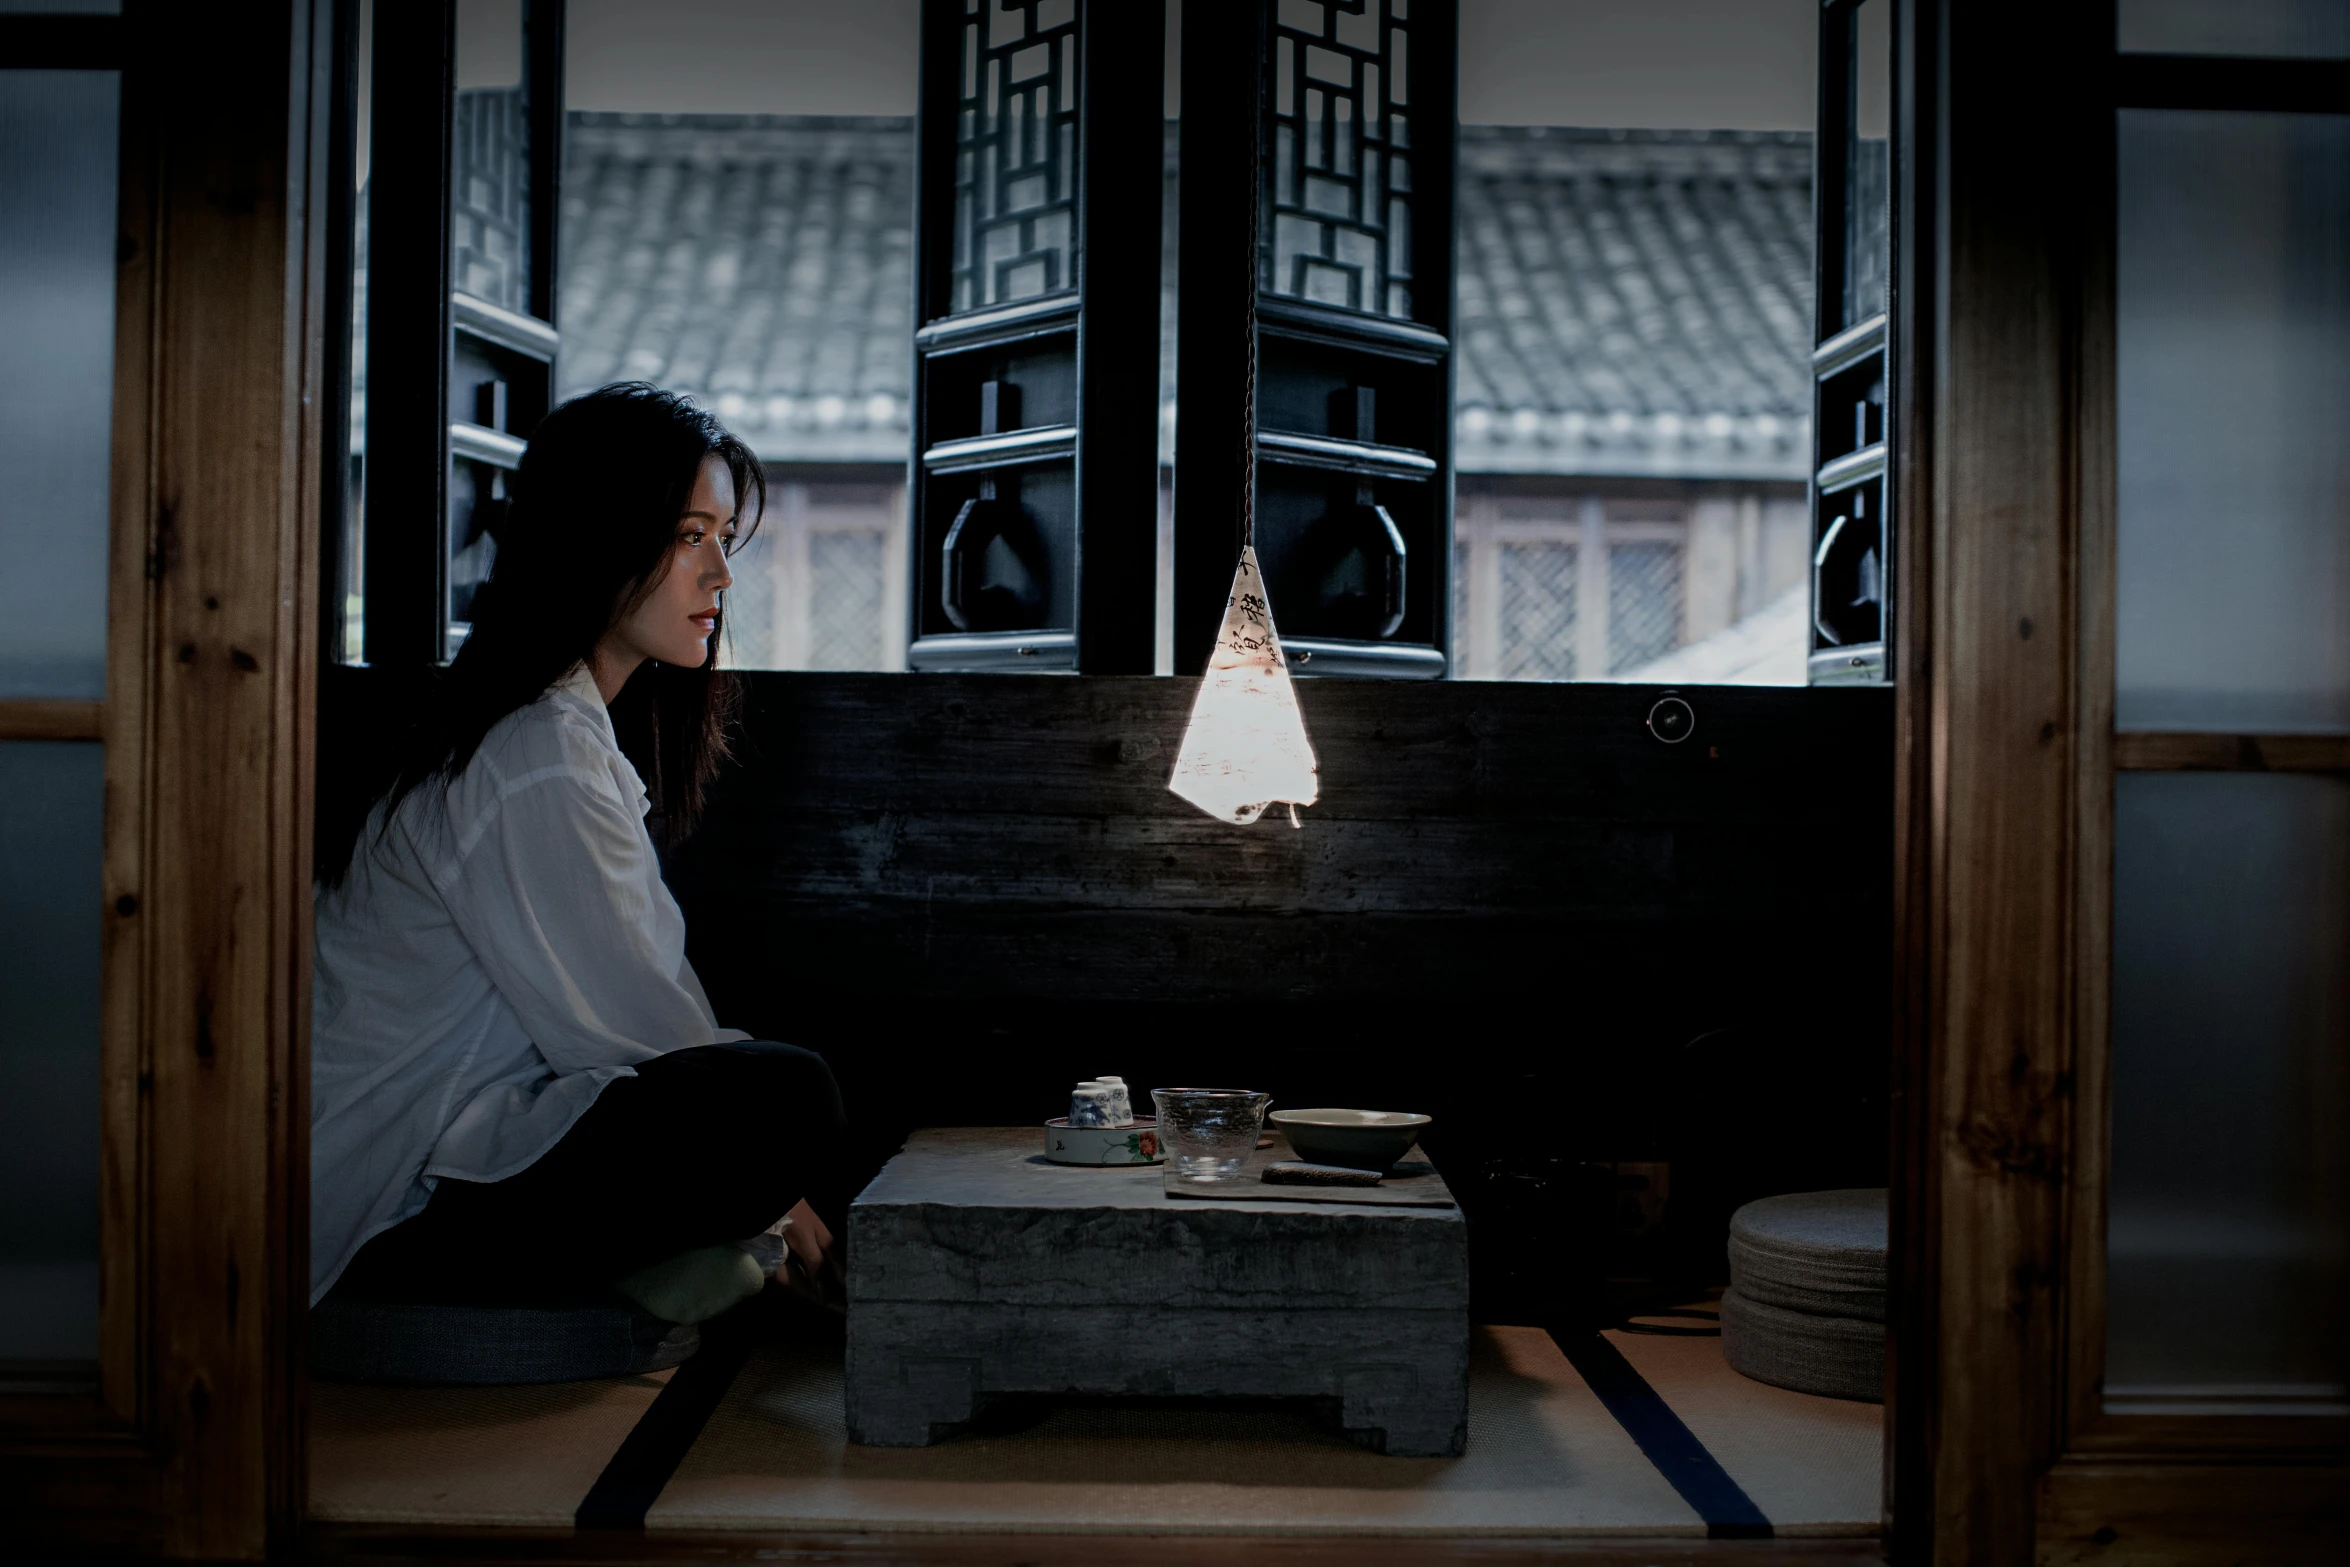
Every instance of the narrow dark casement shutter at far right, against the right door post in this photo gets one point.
(1853, 534)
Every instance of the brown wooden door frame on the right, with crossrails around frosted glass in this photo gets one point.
(1999, 1441)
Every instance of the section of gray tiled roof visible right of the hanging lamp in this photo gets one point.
(1634, 302)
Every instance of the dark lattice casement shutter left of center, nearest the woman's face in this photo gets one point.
(1038, 337)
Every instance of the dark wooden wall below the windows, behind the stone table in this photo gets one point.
(1515, 908)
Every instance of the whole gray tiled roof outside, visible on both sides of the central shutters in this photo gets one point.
(1630, 302)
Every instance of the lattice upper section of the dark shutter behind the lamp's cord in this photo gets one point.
(1341, 191)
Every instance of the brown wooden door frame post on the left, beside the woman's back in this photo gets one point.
(194, 1439)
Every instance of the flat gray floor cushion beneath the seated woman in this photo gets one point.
(356, 1340)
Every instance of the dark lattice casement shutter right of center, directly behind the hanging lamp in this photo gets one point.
(1320, 196)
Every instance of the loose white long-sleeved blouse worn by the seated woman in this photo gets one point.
(488, 967)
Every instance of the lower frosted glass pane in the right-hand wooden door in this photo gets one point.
(2231, 1098)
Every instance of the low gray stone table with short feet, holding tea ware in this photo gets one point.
(976, 1267)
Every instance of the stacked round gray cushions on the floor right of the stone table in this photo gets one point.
(1806, 1303)
